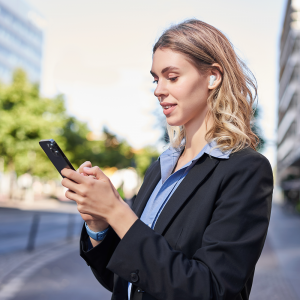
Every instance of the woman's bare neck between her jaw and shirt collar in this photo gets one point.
(195, 131)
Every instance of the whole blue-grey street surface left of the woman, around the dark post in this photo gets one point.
(54, 269)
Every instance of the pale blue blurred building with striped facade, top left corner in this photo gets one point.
(21, 40)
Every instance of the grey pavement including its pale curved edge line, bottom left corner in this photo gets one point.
(58, 273)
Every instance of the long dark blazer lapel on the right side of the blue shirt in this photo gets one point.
(204, 166)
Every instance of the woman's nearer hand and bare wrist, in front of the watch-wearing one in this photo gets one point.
(98, 198)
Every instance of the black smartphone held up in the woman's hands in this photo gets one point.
(56, 155)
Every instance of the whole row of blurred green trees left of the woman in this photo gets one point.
(26, 118)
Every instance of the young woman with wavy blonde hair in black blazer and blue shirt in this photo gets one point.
(198, 224)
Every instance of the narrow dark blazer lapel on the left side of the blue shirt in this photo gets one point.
(147, 189)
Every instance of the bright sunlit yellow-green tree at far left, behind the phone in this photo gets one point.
(25, 118)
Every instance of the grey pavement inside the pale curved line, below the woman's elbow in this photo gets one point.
(65, 278)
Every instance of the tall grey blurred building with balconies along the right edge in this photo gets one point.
(288, 133)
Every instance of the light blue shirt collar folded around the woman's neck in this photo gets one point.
(168, 158)
